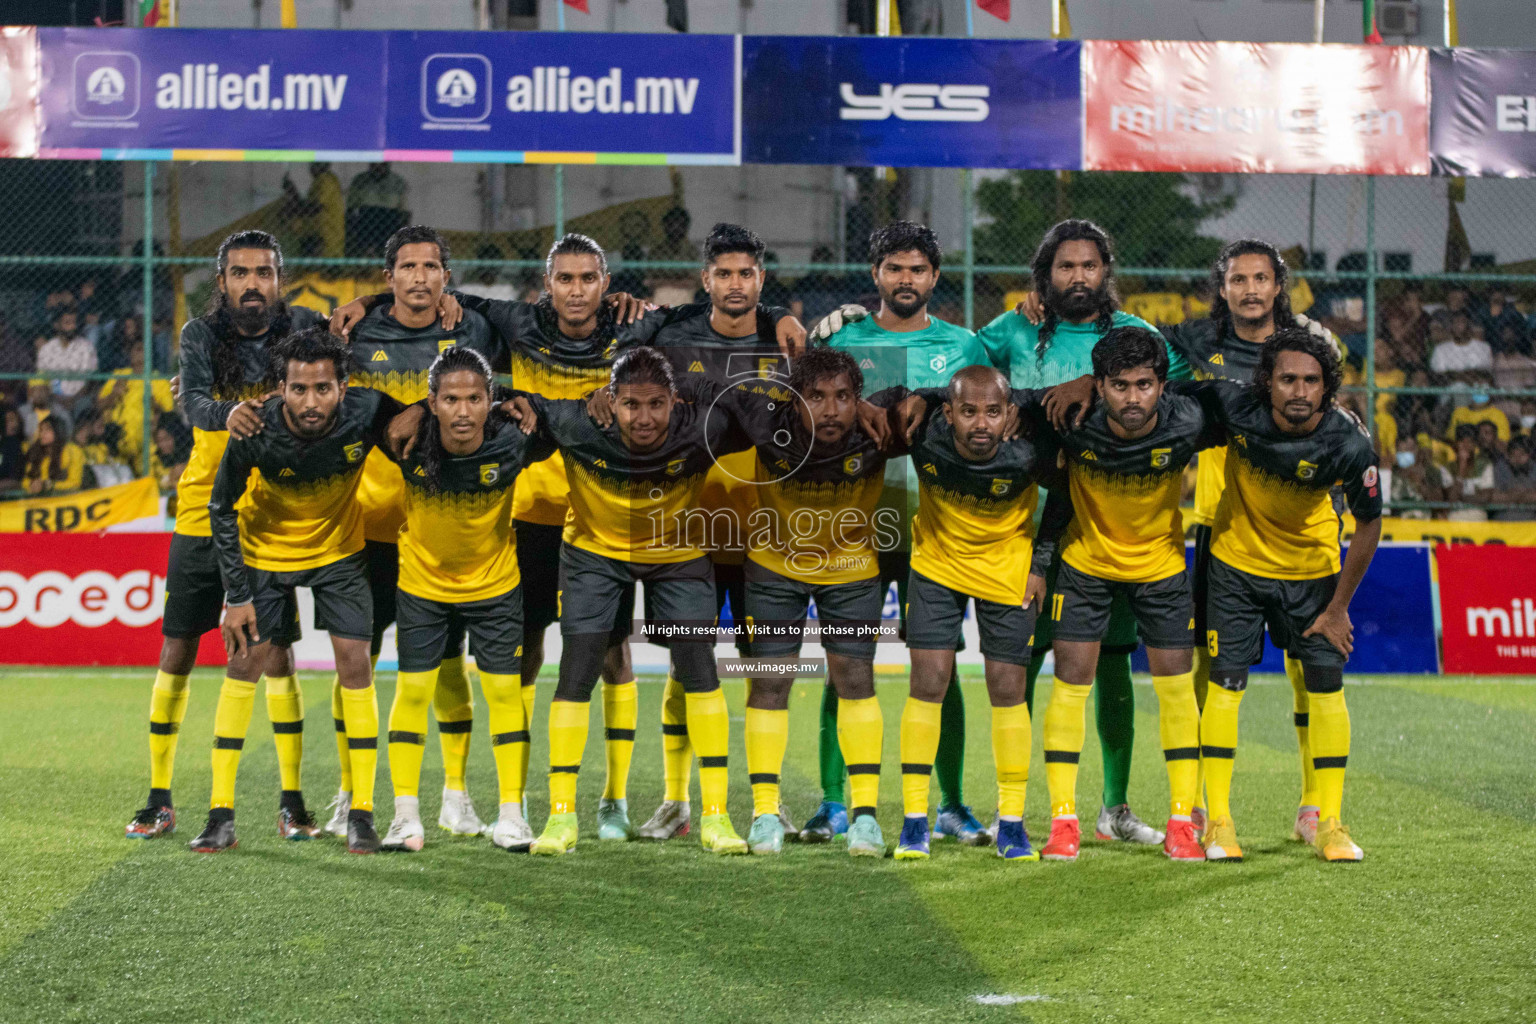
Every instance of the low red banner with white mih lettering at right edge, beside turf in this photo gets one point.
(1489, 609)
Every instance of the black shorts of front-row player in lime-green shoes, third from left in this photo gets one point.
(598, 593)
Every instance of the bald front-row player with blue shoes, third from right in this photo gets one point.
(972, 543)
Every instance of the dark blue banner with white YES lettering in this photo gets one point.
(912, 102)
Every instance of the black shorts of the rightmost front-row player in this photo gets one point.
(1240, 606)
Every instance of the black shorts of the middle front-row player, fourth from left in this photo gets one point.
(780, 604)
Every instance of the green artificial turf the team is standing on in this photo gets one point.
(1437, 925)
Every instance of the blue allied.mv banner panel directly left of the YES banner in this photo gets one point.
(561, 96)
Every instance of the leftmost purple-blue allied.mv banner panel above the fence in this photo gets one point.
(164, 90)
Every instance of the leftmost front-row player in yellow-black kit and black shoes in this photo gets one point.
(303, 527)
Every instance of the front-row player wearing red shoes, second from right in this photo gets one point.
(1127, 538)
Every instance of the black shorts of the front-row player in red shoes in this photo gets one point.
(1164, 610)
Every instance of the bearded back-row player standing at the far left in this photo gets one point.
(223, 374)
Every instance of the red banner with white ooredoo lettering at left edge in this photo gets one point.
(87, 600)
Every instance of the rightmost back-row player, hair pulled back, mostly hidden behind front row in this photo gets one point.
(1253, 302)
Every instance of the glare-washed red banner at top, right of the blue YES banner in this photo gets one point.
(1280, 108)
